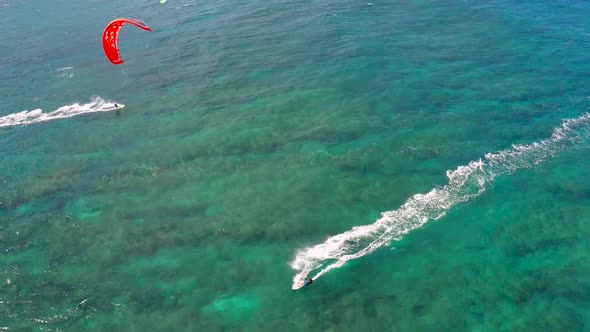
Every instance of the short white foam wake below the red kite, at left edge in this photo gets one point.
(97, 104)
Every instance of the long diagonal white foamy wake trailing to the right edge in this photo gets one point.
(465, 183)
